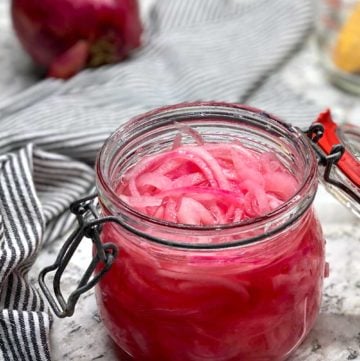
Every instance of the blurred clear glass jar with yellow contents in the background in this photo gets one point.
(338, 39)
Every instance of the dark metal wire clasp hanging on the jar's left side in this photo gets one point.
(89, 225)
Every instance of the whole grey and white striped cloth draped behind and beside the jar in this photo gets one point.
(49, 134)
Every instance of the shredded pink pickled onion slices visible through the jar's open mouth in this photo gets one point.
(207, 184)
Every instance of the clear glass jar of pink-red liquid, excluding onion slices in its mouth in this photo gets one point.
(175, 293)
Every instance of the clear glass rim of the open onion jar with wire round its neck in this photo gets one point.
(104, 187)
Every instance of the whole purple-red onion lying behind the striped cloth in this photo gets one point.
(65, 36)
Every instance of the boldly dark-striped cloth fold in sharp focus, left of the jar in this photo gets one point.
(36, 188)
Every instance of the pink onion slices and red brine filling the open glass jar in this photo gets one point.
(252, 302)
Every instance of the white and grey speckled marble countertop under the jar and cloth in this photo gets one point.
(336, 335)
